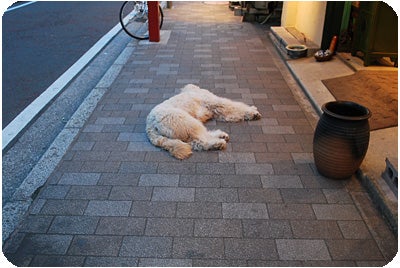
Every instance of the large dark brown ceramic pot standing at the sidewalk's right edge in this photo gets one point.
(341, 139)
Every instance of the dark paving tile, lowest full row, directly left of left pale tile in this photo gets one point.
(95, 245)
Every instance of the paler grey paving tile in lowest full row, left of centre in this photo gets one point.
(145, 246)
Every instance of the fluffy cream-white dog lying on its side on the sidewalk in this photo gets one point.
(177, 123)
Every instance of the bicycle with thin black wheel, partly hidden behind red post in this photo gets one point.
(133, 17)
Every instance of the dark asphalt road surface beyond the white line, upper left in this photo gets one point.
(42, 40)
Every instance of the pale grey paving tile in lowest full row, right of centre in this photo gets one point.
(302, 249)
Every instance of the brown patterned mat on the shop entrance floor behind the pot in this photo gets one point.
(376, 90)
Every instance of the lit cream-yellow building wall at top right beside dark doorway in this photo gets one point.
(306, 16)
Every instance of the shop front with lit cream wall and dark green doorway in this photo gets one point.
(368, 29)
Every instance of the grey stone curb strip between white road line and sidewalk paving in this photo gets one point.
(15, 209)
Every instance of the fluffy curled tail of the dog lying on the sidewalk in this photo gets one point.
(175, 147)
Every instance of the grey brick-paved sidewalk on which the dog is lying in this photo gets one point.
(116, 200)
